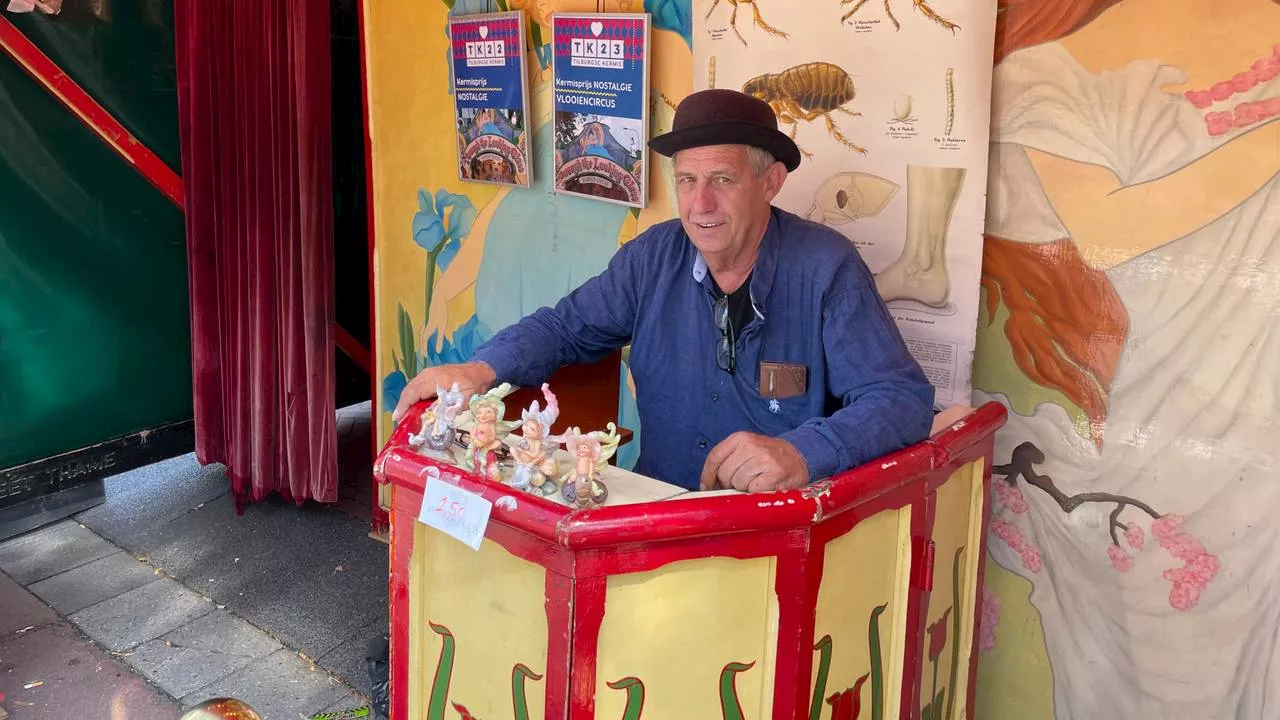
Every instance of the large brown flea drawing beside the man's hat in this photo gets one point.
(807, 93)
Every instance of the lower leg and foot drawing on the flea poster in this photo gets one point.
(921, 274)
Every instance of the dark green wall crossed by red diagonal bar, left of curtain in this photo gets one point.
(94, 322)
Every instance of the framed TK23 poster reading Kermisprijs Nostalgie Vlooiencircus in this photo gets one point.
(602, 110)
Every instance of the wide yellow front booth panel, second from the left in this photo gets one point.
(684, 628)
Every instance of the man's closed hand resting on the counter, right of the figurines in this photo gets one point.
(753, 463)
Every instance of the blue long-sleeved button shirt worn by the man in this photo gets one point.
(816, 304)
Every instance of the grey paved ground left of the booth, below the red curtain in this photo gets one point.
(163, 598)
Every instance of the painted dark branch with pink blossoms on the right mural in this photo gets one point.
(1188, 582)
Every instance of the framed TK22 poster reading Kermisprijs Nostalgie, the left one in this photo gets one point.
(491, 98)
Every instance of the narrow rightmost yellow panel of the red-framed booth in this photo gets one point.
(952, 604)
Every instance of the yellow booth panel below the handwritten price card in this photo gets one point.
(488, 641)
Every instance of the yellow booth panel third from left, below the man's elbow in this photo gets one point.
(865, 581)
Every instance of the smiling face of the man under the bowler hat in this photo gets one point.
(724, 204)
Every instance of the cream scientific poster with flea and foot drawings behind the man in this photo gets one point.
(892, 106)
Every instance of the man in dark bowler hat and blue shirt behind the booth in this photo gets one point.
(762, 356)
